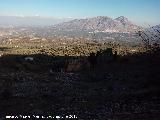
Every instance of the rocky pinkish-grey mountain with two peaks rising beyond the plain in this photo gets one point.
(100, 23)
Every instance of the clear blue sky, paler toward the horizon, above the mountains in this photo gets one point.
(138, 11)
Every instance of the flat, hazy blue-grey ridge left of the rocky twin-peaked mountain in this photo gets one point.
(30, 21)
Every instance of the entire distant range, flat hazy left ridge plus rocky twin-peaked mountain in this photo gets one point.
(99, 23)
